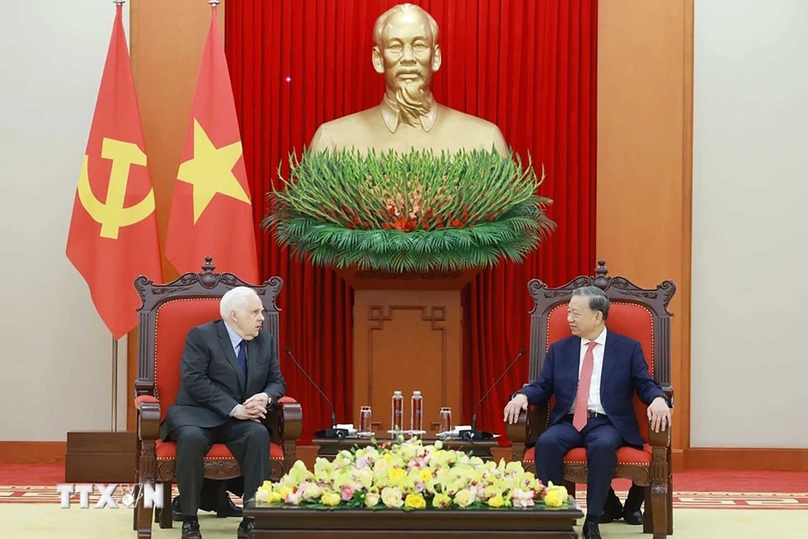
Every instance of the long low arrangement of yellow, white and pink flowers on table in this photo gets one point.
(410, 476)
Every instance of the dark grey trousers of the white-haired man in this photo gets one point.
(248, 441)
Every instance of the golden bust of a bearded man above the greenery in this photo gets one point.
(406, 52)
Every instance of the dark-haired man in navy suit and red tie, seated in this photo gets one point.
(593, 375)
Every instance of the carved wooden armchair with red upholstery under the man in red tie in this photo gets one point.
(641, 314)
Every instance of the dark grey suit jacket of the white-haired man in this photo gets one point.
(211, 380)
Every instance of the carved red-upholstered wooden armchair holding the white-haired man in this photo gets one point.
(168, 312)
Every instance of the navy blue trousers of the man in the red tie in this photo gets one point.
(601, 441)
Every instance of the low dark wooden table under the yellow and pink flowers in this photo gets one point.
(300, 523)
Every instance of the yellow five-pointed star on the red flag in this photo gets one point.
(210, 171)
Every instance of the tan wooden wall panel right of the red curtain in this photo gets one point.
(645, 122)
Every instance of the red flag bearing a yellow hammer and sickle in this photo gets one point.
(113, 230)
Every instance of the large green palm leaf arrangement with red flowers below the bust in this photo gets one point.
(416, 212)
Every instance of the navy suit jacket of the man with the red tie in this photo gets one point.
(624, 372)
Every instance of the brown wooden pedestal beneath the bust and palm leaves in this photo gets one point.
(407, 336)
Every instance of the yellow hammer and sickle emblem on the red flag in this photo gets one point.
(111, 214)
